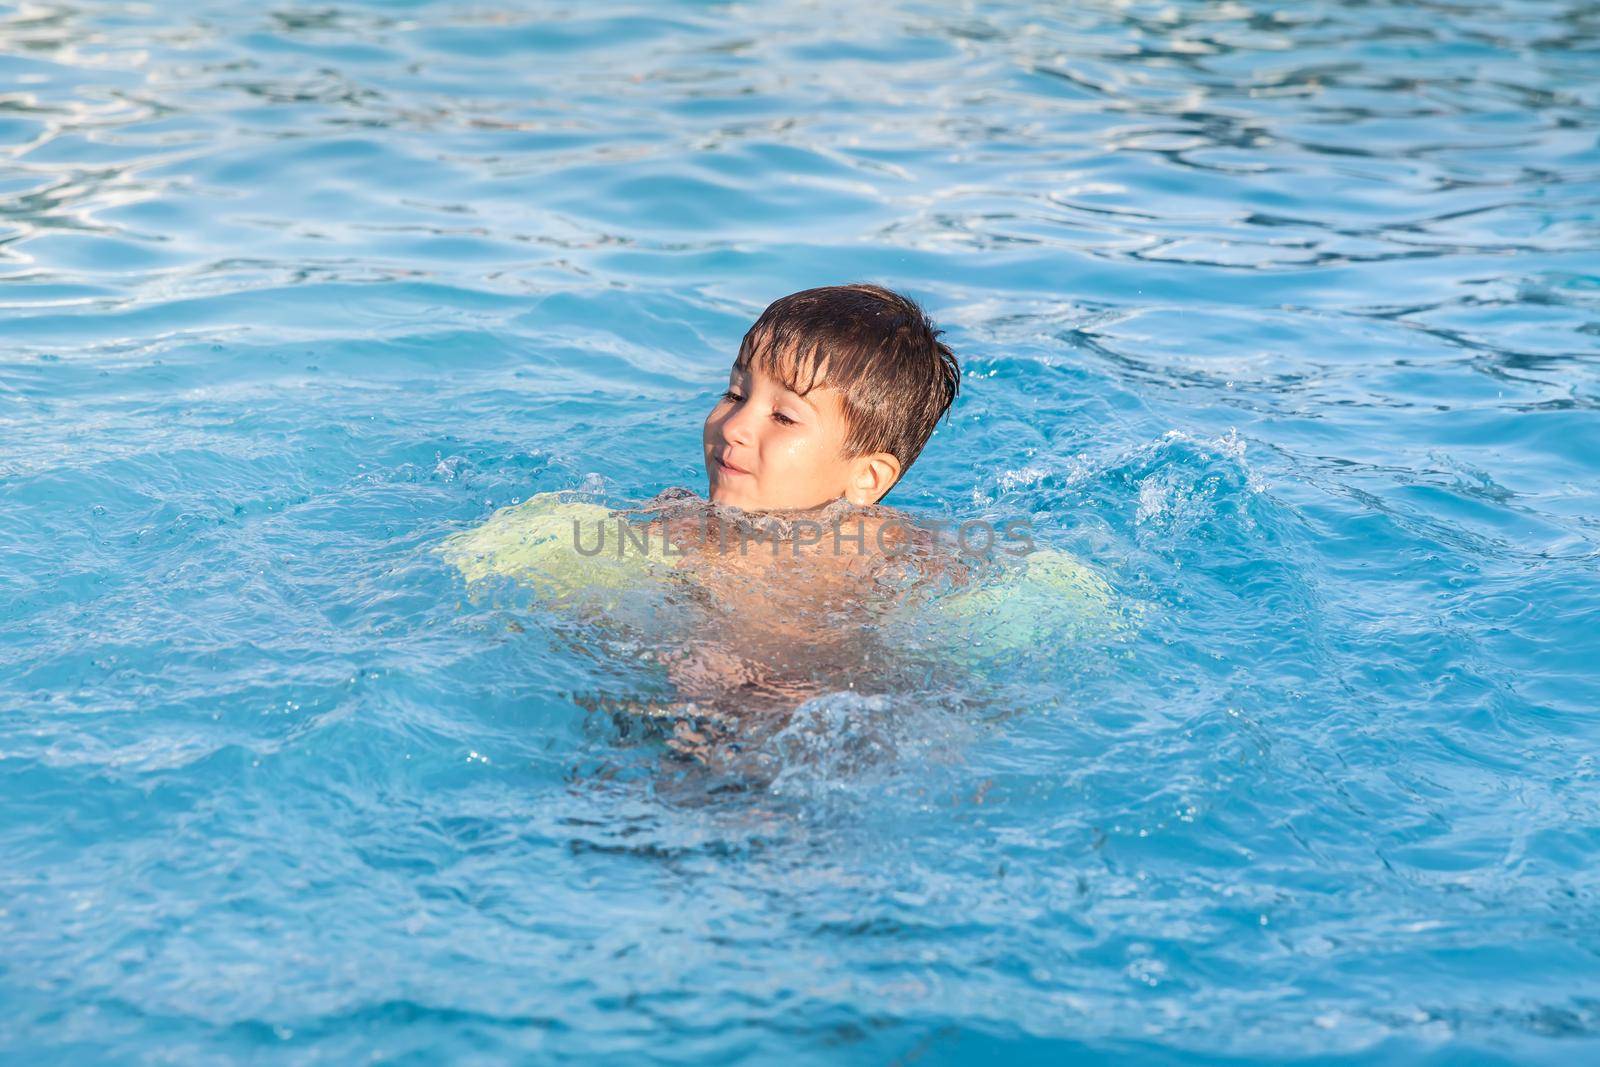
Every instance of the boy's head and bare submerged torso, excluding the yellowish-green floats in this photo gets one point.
(830, 402)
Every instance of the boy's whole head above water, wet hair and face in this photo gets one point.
(834, 394)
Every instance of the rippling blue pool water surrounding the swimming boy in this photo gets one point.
(1286, 316)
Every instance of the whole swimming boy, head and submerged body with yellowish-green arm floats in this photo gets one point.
(793, 580)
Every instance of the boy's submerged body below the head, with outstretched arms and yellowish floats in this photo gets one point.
(753, 615)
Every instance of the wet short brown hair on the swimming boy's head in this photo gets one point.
(879, 350)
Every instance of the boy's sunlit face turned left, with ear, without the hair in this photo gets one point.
(769, 449)
